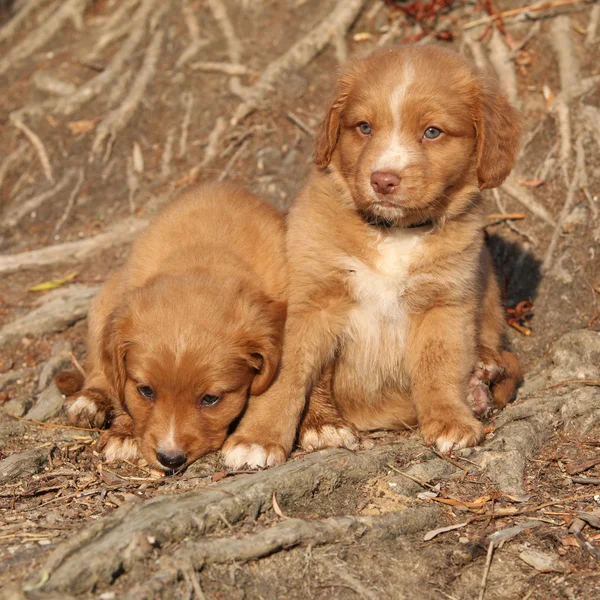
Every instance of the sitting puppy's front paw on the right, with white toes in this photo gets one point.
(452, 431)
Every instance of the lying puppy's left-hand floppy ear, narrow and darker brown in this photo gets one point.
(114, 349)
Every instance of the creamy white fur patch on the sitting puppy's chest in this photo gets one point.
(376, 332)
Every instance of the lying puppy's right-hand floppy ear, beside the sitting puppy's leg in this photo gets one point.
(262, 337)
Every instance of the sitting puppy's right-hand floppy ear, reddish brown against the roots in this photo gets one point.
(498, 127)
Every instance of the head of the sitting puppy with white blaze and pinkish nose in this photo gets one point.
(411, 129)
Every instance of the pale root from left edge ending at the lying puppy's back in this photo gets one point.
(69, 252)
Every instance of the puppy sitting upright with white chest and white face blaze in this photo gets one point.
(393, 300)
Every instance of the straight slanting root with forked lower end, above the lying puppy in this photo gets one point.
(118, 119)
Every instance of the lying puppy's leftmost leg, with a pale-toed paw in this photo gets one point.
(93, 404)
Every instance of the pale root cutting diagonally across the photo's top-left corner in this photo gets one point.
(44, 33)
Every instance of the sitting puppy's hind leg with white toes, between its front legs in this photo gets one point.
(322, 426)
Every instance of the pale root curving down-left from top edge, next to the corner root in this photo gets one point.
(98, 84)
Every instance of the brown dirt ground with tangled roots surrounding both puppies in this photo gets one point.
(108, 108)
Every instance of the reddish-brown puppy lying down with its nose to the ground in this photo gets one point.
(191, 326)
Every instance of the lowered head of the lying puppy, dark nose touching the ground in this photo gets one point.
(184, 353)
